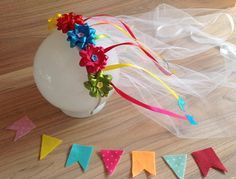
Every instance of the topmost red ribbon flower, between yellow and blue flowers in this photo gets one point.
(67, 22)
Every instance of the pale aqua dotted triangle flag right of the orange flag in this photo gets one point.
(177, 163)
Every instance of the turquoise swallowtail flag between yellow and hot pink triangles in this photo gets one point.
(81, 154)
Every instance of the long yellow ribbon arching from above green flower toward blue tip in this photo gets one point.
(116, 66)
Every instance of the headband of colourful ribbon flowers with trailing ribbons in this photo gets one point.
(94, 58)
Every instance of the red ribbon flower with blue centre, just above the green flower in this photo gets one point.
(94, 58)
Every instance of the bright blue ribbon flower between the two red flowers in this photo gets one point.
(81, 36)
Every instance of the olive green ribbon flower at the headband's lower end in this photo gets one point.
(99, 84)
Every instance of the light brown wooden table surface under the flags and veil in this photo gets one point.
(119, 125)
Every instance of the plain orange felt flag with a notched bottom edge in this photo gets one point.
(143, 160)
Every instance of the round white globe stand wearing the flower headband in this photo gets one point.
(60, 79)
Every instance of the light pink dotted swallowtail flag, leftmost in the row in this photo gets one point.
(22, 127)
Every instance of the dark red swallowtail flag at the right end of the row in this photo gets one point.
(207, 159)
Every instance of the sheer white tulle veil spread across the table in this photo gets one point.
(198, 45)
